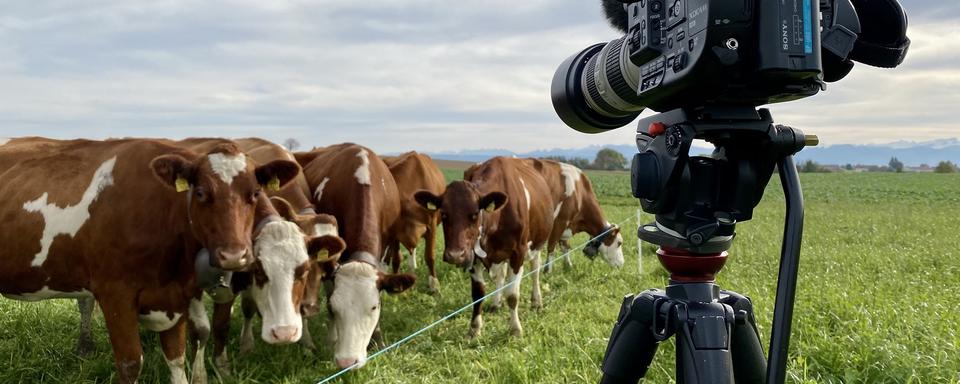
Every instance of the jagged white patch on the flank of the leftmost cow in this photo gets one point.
(68, 220)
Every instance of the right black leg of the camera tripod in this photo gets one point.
(749, 362)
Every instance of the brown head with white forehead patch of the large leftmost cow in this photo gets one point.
(223, 188)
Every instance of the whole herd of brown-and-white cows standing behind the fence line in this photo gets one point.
(145, 227)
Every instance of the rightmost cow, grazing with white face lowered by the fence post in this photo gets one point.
(577, 210)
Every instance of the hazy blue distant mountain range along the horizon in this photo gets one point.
(908, 152)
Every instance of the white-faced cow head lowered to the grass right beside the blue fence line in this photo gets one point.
(354, 306)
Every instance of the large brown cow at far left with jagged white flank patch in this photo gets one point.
(123, 221)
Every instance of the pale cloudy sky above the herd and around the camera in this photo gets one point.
(391, 74)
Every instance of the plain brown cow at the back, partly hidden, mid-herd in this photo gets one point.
(415, 172)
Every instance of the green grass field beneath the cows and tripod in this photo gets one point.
(877, 303)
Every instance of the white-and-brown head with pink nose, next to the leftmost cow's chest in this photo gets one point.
(279, 276)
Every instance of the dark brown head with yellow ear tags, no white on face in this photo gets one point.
(462, 209)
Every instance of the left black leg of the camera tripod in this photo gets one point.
(632, 344)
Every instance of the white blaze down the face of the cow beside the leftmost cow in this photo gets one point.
(280, 250)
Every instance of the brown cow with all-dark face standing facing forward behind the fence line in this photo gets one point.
(497, 217)
